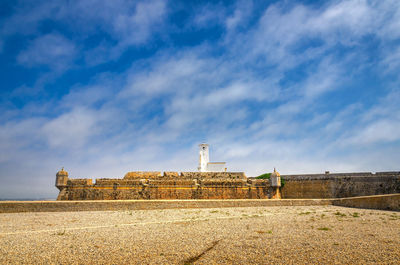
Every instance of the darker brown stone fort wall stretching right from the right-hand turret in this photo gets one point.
(340, 185)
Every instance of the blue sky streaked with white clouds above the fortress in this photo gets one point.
(106, 87)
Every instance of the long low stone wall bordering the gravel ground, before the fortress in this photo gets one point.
(383, 202)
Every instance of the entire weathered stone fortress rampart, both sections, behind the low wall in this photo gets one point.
(225, 185)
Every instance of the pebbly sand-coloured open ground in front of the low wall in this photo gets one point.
(258, 235)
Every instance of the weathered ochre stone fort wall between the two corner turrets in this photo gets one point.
(170, 185)
